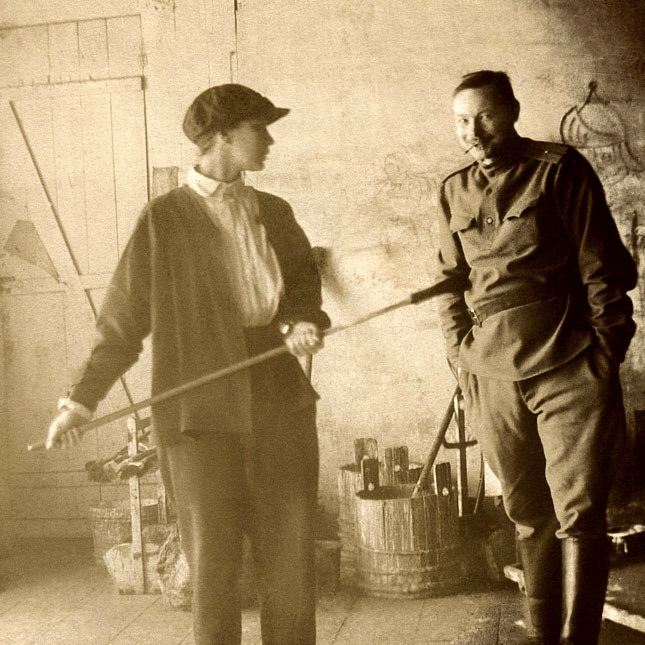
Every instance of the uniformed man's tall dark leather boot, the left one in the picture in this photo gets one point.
(541, 558)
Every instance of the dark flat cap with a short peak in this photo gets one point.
(224, 106)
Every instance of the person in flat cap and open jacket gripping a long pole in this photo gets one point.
(215, 272)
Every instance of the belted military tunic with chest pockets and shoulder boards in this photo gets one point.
(531, 248)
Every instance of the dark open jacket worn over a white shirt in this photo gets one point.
(171, 283)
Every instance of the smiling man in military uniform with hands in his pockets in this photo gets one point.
(537, 322)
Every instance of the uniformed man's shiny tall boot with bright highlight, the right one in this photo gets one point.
(585, 564)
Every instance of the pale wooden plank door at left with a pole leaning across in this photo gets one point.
(73, 178)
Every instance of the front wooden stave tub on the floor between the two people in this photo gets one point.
(408, 547)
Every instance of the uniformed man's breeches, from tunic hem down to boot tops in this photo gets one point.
(553, 441)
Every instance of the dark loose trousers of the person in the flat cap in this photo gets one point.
(264, 485)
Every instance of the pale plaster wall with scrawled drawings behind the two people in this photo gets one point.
(360, 156)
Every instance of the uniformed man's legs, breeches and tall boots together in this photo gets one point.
(554, 441)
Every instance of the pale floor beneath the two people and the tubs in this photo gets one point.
(54, 593)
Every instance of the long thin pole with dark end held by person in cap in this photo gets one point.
(414, 298)
